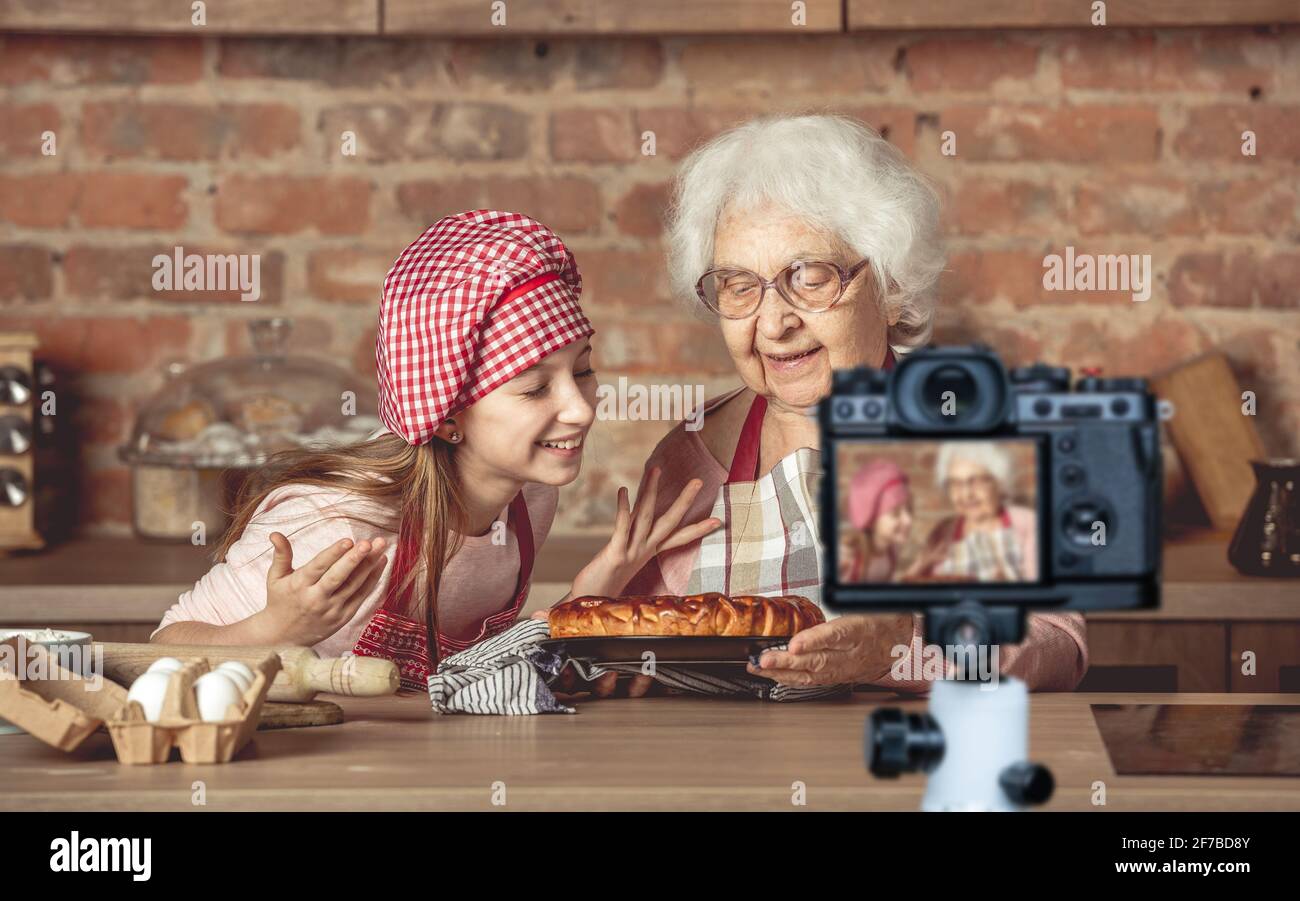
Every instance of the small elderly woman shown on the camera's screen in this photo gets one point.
(989, 539)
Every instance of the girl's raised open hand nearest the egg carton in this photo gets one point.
(307, 605)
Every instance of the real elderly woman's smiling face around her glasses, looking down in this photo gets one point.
(766, 346)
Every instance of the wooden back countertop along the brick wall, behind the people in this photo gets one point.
(127, 581)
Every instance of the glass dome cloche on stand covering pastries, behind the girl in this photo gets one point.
(233, 414)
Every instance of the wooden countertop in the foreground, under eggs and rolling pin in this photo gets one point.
(662, 753)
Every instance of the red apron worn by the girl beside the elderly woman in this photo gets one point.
(395, 636)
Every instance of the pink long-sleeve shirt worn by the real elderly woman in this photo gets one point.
(1052, 659)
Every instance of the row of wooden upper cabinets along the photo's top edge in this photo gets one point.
(601, 18)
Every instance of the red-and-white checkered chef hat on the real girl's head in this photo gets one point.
(478, 300)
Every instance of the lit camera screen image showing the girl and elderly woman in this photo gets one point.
(938, 512)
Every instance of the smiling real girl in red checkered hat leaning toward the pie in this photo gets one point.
(487, 392)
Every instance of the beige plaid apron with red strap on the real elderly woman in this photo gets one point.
(769, 543)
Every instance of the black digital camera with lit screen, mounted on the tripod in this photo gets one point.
(948, 482)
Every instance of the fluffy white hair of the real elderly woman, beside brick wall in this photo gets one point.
(838, 175)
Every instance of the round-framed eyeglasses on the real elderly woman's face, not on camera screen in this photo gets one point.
(813, 287)
